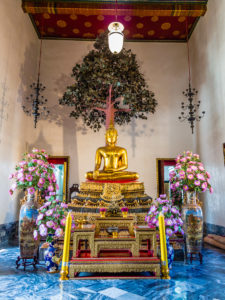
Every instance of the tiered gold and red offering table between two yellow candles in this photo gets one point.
(104, 253)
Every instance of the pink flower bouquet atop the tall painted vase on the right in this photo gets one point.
(190, 174)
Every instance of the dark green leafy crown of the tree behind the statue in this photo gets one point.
(100, 69)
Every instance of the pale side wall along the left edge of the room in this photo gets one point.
(18, 57)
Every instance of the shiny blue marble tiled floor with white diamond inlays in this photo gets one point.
(190, 282)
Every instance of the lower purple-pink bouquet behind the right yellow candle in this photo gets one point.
(173, 222)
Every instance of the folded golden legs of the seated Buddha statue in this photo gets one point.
(123, 175)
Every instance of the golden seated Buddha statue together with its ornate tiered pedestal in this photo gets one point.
(112, 183)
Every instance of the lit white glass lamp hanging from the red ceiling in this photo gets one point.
(115, 37)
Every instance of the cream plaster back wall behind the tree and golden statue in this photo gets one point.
(164, 66)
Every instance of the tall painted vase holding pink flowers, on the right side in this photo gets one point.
(193, 224)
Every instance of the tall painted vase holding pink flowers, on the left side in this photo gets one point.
(27, 223)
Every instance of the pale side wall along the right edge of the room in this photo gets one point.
(208, 61)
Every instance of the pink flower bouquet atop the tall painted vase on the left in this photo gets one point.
(34, 173)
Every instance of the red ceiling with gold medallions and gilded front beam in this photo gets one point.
(147, 20)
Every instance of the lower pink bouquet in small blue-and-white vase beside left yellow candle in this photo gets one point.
(51, 220)
